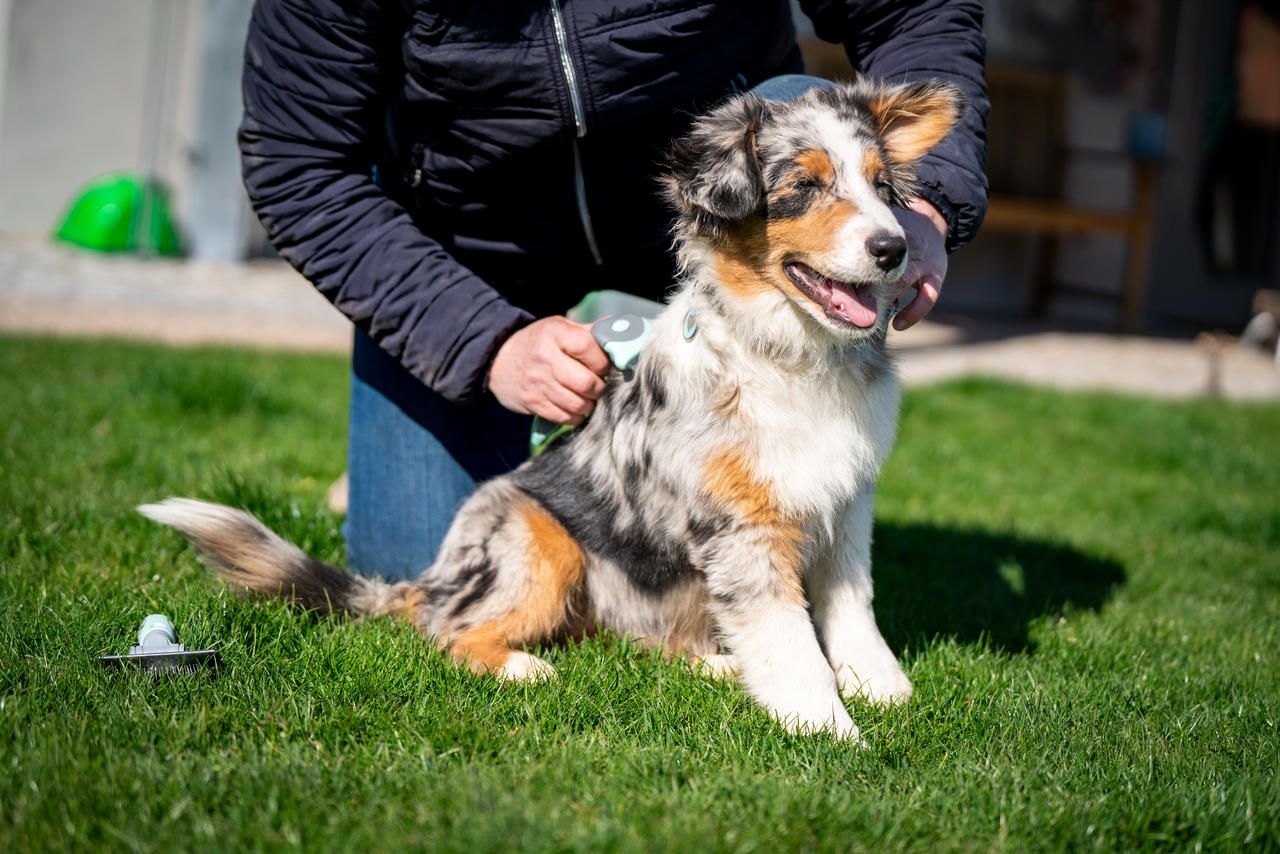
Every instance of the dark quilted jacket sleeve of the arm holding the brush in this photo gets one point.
(318, 79)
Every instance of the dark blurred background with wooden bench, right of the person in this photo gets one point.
(1135, 163)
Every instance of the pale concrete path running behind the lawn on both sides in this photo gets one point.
(266, 304)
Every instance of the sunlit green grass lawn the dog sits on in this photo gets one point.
(1085, 591)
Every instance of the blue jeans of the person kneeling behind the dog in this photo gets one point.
(413, 458)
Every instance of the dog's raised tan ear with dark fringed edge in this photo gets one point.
(915, 118)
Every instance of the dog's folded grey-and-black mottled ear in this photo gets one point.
(714, 173)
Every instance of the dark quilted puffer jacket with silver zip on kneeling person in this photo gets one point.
(445, 171)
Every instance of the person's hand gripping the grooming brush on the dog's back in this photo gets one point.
(552, 368)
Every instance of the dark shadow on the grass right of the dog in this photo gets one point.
(971, 584)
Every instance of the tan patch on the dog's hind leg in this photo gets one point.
(550, 606)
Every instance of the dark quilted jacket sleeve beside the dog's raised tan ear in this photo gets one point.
(897, 42)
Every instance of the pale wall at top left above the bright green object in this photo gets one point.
(72, 93)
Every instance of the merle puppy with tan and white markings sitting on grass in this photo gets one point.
(719, 503)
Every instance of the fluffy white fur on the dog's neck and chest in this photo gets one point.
(811, 421)
